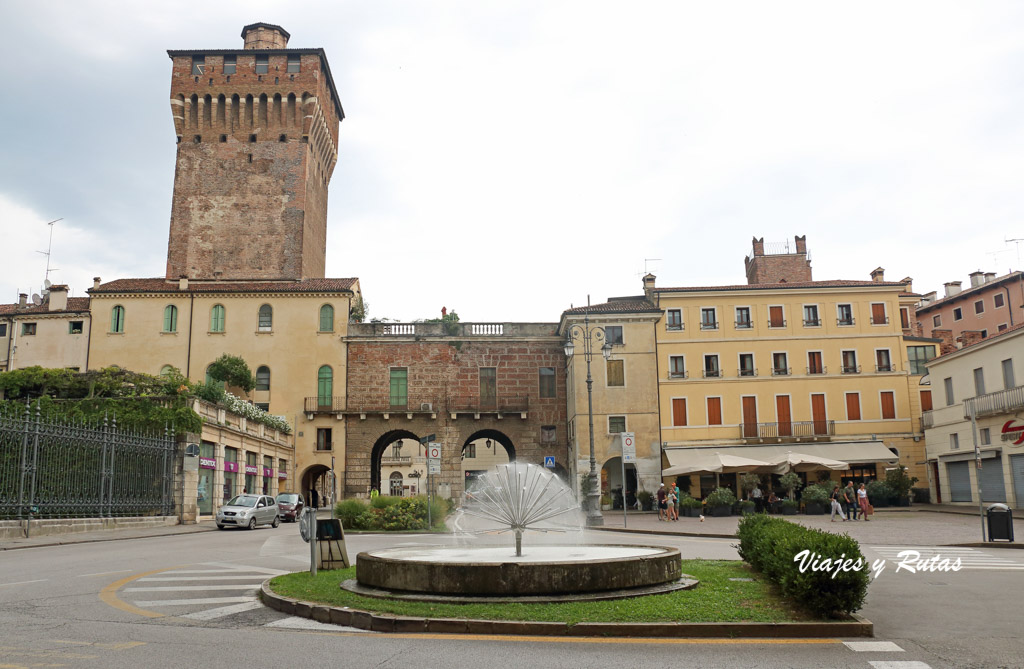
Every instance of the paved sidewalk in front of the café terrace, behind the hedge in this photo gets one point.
(924, 525)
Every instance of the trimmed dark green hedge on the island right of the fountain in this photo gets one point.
(772, 545)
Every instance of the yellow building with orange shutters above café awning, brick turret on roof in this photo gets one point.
(788, 364)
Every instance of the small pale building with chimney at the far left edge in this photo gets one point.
(53, 334)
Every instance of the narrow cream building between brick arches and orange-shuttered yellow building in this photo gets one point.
(625, 392)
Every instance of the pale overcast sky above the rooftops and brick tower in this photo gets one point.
(507, 159)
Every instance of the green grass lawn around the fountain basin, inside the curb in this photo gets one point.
(715, 600)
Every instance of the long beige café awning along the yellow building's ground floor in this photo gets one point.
(852, 452)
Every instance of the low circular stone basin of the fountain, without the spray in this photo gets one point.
(495, 571)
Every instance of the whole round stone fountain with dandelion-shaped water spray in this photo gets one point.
(525, 501)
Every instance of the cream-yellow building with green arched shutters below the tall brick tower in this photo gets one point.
(290, 333)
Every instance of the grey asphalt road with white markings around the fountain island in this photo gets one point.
(188, 601)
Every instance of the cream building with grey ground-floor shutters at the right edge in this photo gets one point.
(984, 380)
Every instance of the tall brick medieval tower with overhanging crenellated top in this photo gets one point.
(258, 133)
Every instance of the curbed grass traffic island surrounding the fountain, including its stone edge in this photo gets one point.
(732, 602)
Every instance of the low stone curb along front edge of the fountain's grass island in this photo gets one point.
(860, 628)
